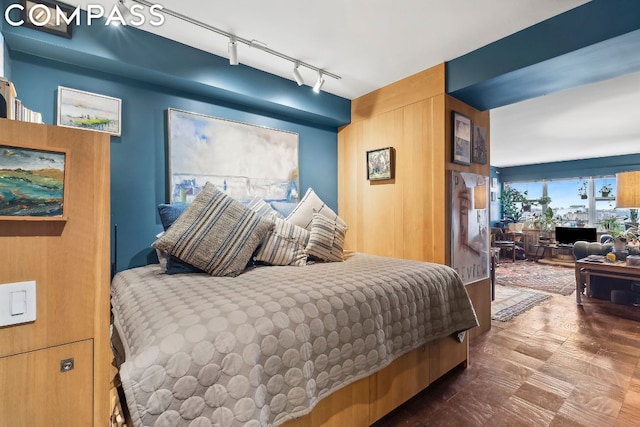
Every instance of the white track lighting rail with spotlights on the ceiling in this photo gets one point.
(233, 44)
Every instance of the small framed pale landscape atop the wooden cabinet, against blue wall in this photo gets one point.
(86, 110)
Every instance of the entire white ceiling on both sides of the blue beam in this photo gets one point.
(372, 43)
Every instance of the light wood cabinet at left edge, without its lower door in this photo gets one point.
(69, 260)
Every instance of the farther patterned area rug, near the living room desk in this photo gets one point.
(540, 277)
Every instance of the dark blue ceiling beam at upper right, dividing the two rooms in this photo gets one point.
(593, 42)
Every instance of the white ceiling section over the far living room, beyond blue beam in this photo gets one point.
(597, 120)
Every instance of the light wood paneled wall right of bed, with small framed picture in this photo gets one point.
(409, 216)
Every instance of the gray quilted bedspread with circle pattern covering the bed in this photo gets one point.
(266, 346)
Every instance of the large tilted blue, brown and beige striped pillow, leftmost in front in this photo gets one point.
(215, 233)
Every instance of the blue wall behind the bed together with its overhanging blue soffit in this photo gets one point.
(151, 74)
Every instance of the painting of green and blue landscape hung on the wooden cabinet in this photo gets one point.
(33, 183)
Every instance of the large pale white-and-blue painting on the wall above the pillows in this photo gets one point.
(240, 159)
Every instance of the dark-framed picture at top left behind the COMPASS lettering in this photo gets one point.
(43, 16)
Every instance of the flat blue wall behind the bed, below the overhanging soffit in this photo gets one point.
(138, 157)
